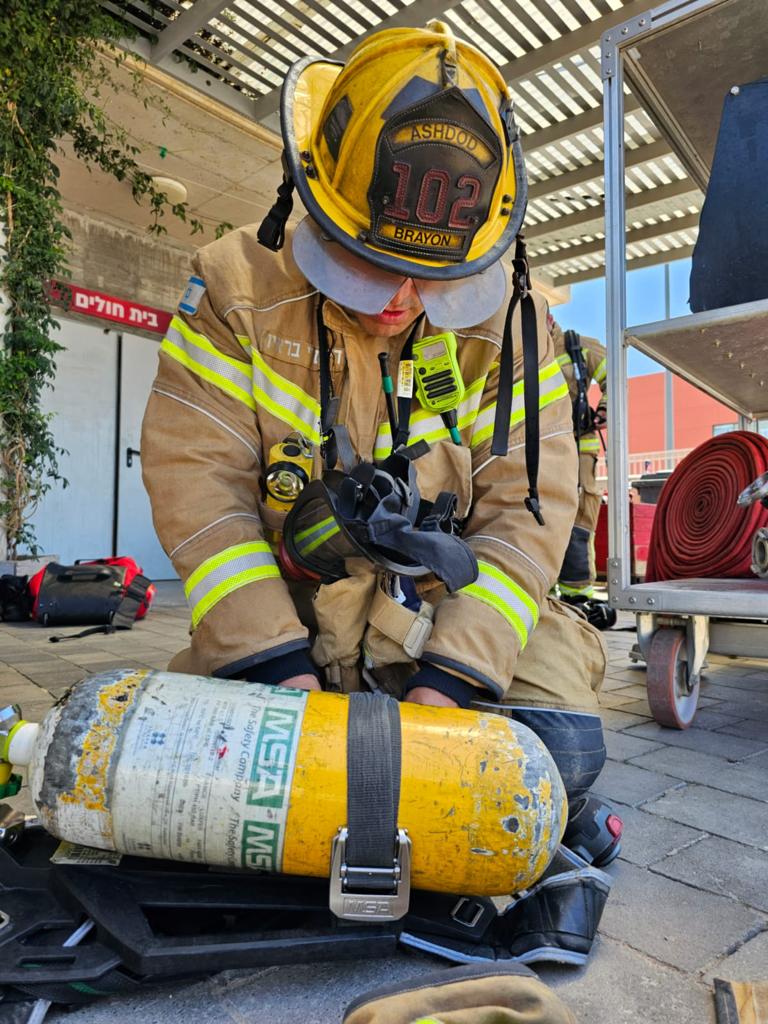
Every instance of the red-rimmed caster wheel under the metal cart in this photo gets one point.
(673, 702)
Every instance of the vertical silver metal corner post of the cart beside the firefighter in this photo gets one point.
(616, 303)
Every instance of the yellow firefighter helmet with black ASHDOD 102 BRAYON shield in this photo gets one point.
(408, 157)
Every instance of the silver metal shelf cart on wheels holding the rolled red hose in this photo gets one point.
(680, 60)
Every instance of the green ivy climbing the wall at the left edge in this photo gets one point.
(58, 59)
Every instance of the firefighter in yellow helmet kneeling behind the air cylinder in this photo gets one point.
(409, 164)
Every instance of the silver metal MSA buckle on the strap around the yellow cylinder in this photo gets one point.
(373, 894)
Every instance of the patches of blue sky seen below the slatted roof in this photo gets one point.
(586, 312)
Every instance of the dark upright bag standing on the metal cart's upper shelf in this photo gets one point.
(731, 260)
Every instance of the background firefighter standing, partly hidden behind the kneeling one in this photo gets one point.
(583, 362)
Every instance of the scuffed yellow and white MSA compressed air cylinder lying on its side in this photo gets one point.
(241, 776)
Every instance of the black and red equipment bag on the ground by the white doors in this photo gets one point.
(90, 594)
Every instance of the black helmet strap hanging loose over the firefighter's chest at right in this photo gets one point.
(500, 446)
